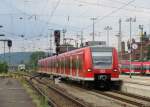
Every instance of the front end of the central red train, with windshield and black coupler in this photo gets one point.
(105, 65)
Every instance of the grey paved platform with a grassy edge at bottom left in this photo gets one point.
(12, 94)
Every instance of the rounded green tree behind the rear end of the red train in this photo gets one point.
(35, 56)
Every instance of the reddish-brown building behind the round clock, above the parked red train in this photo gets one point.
(140, 53)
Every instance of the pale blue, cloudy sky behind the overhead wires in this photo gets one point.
(37, 19)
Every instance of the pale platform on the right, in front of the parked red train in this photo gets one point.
(139, 85)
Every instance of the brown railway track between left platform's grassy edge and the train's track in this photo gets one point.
(54, 96)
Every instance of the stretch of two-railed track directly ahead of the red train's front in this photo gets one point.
(126, 99)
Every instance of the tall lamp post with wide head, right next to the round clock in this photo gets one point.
(130, 20)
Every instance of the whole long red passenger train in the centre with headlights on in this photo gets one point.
(90, 65)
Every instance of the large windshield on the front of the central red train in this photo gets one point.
(102, 58)
